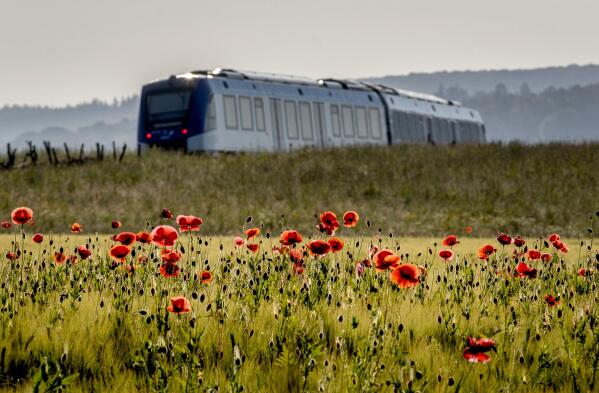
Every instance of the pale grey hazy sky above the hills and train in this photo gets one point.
(65, 51)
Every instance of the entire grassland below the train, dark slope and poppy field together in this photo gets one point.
(272, 314)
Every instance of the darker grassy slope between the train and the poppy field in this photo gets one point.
(407, 190)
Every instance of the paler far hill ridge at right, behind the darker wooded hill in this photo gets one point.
(537, 79)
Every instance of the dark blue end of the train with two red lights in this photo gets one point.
(172, 111)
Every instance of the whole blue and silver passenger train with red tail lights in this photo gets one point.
(232, 111)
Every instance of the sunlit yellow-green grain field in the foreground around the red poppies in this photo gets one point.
(259, 326)
